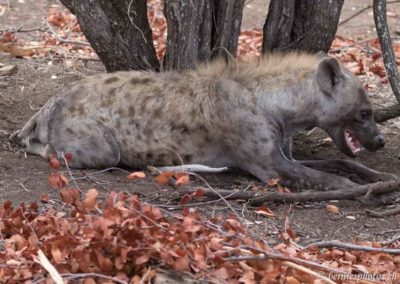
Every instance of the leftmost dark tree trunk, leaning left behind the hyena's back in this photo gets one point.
(118, 31)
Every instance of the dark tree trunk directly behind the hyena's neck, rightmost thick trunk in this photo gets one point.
(301, 25)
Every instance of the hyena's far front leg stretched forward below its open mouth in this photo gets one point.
(350, 169)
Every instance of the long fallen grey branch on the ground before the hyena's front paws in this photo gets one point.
(256, 198)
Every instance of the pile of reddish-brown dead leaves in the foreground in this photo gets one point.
(121, 239)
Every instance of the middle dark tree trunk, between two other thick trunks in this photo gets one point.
(200, 30)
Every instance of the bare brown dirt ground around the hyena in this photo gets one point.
(24, 179)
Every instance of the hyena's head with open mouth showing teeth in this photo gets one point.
(346, 113)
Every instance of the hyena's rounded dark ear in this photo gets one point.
(329, 75)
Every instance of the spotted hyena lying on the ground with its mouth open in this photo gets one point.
(240, 115)
